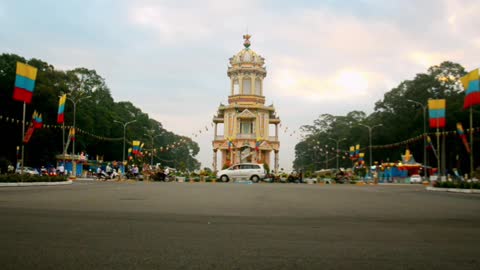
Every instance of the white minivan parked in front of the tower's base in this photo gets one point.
(242, 171)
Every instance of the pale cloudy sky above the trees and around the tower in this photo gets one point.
(170, 58)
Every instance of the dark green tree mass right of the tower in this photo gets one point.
(400, 118)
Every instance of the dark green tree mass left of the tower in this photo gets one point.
(95, 115)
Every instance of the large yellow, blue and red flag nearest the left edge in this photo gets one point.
(24, 82)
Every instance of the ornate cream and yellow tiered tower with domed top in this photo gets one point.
(246, 120)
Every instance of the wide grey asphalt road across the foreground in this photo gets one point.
(122, 225)
